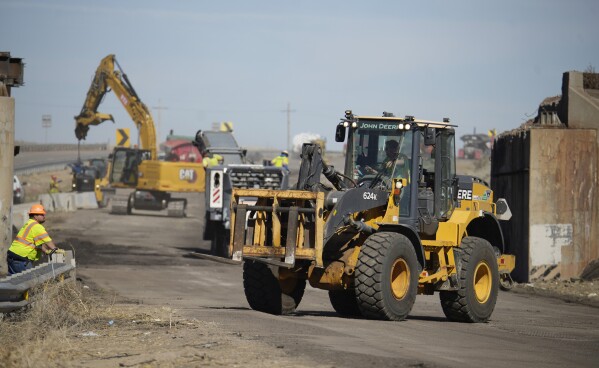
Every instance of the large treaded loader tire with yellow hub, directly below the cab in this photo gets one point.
(386, 277)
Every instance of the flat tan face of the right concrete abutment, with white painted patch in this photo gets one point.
(563, 181)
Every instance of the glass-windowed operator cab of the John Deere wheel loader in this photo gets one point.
(380, 149)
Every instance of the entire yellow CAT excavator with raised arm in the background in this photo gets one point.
(136, 168)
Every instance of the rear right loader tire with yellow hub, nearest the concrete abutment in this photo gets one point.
(479, 283)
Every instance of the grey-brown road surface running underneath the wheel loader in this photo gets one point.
(143, 258)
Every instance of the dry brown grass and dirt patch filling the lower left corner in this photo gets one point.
(69, 326)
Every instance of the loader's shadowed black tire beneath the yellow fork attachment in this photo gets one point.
(265, 293)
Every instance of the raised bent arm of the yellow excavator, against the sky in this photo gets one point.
(106, 79)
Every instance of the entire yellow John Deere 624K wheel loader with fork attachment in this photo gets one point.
(395, 223)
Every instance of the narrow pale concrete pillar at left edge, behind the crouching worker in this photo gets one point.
(7, 133)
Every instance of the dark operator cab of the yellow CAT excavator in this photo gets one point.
(125, 163)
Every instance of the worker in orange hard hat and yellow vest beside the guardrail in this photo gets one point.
(31, 241)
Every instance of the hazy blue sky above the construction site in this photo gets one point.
(483, 64)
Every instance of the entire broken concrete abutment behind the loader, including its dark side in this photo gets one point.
(547, 171)
